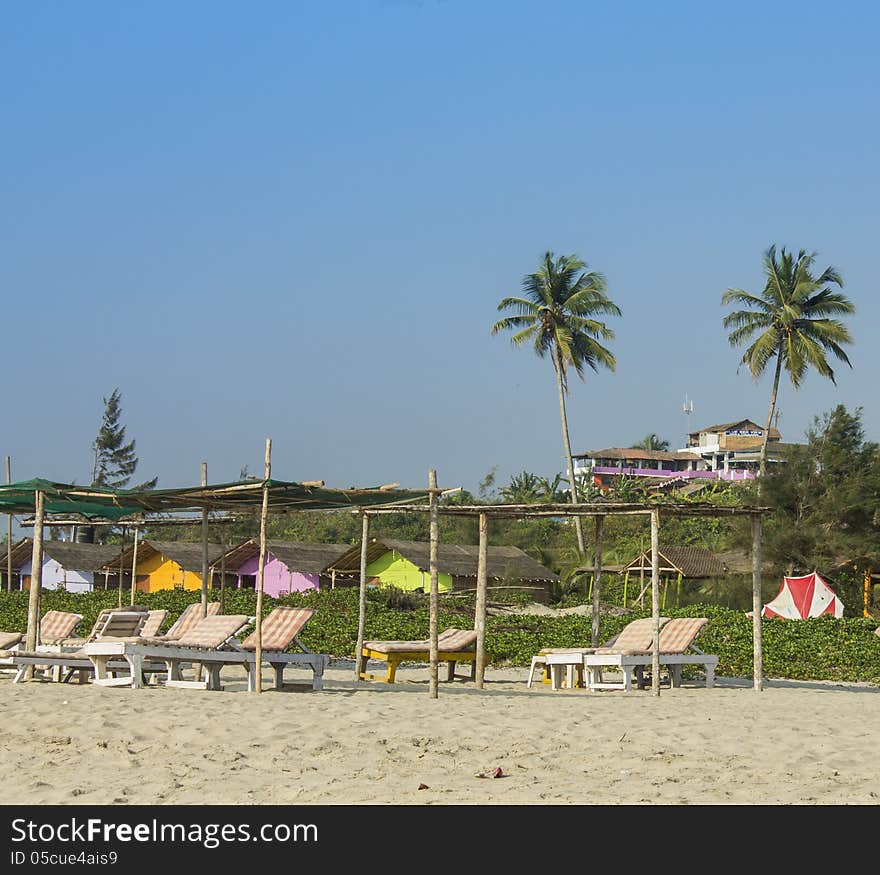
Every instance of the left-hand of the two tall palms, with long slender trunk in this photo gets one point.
(557, 315)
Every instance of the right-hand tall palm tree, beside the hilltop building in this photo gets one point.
(793, 320)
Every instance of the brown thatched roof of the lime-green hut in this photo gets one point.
(457, 560)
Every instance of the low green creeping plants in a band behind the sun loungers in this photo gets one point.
(825, 648)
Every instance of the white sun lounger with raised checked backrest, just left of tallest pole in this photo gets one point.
(210, 643)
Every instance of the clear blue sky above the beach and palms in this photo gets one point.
(296, 220)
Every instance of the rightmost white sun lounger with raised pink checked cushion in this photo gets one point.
(676, 649)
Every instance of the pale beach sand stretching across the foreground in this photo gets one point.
(375, 744)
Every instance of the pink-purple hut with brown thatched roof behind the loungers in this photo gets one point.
(291, 566)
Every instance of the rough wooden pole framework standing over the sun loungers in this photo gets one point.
(124, 507)
